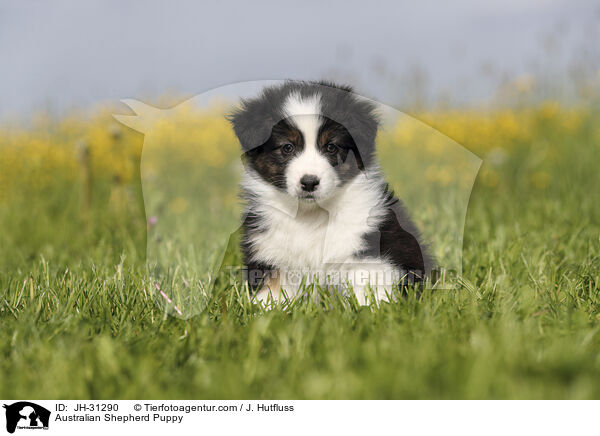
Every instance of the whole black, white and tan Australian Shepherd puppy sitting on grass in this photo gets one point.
(317, 209)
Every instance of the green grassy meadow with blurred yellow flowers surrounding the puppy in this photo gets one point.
(80, 318)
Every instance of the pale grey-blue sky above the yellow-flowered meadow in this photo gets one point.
(64, 54)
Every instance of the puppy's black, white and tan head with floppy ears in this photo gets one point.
(307, 139)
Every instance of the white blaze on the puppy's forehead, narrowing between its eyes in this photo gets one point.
(305, 113)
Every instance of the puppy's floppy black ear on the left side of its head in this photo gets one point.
(252, 123)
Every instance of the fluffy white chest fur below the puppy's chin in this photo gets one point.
(311, 236)
